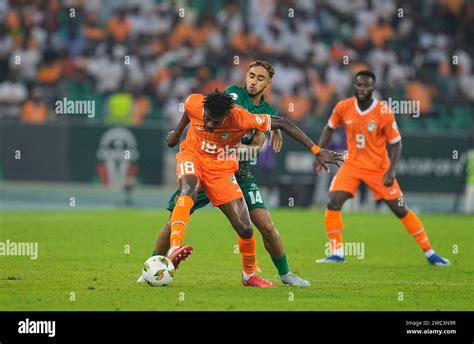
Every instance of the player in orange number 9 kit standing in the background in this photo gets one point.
(370, 125)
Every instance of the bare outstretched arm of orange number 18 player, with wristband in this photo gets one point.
(323, 156)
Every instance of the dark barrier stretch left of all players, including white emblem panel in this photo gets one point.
(81, 153)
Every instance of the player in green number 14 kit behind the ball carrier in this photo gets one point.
(258, 78)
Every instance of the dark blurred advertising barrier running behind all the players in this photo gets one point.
(53, 152)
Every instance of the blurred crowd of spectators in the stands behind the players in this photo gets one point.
(139, 59)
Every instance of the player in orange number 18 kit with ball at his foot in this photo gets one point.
(217, 125)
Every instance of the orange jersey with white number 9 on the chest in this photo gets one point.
(367, 132)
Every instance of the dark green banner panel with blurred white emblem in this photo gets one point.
(115, 153)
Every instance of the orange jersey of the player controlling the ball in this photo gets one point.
(212, 145)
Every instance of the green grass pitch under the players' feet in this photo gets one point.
(84, 252)
